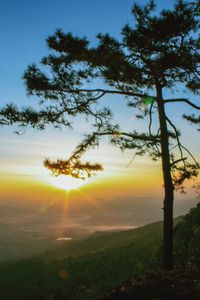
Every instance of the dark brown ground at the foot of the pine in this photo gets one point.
(174, 285)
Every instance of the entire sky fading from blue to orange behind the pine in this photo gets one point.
(24, 26)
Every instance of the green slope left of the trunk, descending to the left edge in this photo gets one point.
(84, 268)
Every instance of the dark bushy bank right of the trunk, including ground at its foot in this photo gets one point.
(183, 283)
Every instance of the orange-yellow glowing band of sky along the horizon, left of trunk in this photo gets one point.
(102, 185)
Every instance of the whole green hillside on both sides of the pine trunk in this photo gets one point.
(94, 266)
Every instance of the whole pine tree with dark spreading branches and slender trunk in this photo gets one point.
(157, 53)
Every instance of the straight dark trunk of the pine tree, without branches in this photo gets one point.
(168, 186)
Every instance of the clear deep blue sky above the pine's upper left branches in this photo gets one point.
(24, 26)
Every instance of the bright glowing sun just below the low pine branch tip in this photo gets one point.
(67, 182)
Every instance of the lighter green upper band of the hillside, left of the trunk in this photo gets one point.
(105, 241)
